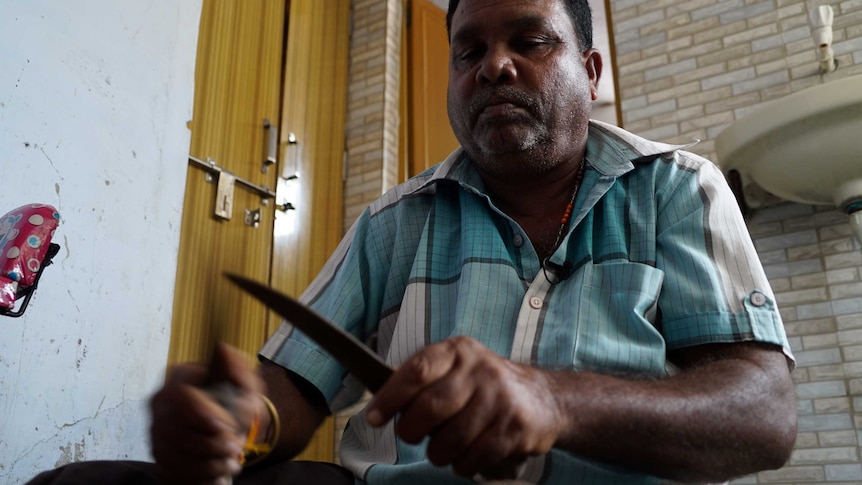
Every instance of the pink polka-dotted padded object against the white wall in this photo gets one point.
(25, 250)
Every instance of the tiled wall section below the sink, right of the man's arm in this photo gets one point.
(815, 267)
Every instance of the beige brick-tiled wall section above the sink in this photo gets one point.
(688, 68)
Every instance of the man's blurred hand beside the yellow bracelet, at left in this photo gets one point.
(195, 440)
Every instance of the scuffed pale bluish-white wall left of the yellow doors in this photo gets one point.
(94, 100)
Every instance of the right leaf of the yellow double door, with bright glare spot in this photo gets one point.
(313, 141)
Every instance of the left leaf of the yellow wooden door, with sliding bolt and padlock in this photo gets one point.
(237, 86)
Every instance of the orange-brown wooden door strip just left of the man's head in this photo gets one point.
(429, 134)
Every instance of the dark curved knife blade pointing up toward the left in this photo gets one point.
(357, 358)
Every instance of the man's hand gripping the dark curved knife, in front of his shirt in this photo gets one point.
(481, 413)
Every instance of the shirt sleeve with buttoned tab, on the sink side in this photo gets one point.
(716, 290)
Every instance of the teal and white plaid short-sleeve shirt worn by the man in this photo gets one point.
(657, 258)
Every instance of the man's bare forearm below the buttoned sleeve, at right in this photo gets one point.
(721, 417)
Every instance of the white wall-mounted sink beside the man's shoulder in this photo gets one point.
(805, 147)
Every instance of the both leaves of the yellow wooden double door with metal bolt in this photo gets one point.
(285, 62)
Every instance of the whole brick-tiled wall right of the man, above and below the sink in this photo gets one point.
(687, 69)
